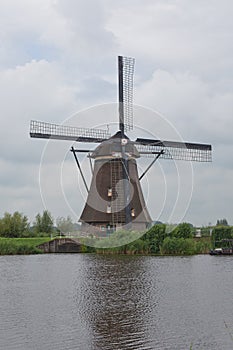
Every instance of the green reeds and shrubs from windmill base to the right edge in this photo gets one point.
(163, 239)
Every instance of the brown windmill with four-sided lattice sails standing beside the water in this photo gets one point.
(115, 198)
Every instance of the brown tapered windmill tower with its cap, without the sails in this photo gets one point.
(106, 207)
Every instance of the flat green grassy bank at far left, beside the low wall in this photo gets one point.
(11, 246)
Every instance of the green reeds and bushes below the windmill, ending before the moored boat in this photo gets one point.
(156, 241)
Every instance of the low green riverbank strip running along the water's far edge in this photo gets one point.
(141, 246)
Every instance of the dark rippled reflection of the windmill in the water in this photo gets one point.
(116, 299)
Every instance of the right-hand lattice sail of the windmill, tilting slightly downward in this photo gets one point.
(174, 150)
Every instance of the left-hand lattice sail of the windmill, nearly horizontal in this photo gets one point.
(62, 132)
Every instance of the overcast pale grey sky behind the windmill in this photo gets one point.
(58, 64)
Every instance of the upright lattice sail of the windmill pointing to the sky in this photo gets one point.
(125, 71)
